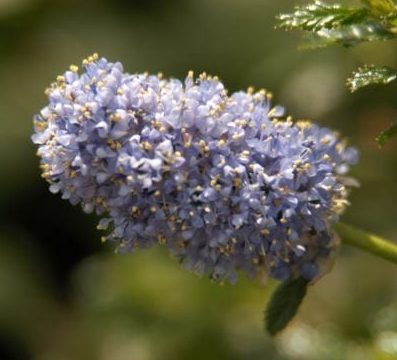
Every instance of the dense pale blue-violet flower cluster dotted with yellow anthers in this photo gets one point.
(226, 182)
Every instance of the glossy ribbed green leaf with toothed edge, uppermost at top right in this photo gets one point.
(318, 15)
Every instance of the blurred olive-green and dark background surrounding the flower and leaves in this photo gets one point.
(64, 295)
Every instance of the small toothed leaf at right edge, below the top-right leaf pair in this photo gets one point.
(369, 75)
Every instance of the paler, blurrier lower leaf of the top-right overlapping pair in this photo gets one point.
(349, 35)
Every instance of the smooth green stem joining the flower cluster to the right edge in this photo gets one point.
(372, 243)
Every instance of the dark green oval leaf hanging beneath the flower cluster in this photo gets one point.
(284, 304)
